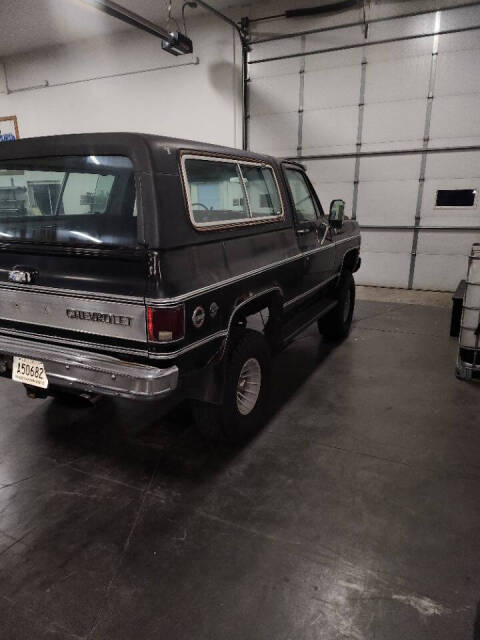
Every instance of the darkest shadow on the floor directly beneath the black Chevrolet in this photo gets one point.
(141, 434)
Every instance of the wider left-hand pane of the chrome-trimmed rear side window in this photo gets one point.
(216, 192)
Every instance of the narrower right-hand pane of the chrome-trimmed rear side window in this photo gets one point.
(262, 191)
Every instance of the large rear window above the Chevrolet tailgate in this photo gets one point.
(73, 200)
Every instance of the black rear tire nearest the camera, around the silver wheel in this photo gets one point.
(226, 422)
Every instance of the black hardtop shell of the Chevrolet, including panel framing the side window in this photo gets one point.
(162, 192)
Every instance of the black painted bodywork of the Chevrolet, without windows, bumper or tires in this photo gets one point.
(270, 263)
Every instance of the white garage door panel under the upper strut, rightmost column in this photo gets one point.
(458, 72)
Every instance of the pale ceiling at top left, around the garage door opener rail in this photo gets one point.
(33, 24)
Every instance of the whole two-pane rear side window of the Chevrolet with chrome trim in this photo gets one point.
(226, 192)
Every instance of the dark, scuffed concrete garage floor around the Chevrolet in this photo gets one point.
(354, 514)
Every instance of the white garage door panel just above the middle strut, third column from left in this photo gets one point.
(394, 122)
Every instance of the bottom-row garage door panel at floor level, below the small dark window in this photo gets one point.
(439, 272)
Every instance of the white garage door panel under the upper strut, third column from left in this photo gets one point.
(398, 79)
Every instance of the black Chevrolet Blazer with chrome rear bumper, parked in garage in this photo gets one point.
(136, 265)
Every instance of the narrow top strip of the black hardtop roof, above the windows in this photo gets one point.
(142, 148)
